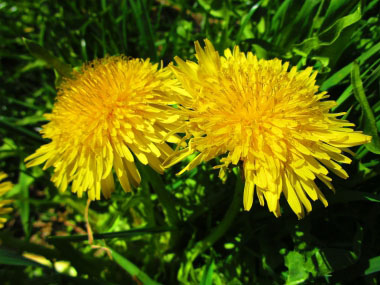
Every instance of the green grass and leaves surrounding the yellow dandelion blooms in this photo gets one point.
(186, 232)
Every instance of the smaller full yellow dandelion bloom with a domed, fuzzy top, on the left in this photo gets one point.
(112, 111)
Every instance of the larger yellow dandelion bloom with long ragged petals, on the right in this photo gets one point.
(270, 119)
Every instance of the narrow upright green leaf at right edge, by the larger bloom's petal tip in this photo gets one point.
(369, 121)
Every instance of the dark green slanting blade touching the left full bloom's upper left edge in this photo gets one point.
(39, 52)
